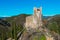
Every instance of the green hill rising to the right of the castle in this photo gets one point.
(54, 23)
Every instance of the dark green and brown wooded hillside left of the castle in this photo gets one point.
(16, 25)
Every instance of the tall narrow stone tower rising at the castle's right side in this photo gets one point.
(38, 15)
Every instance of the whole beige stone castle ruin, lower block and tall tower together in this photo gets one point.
(34, 21)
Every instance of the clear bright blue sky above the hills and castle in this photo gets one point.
(15, 7)
